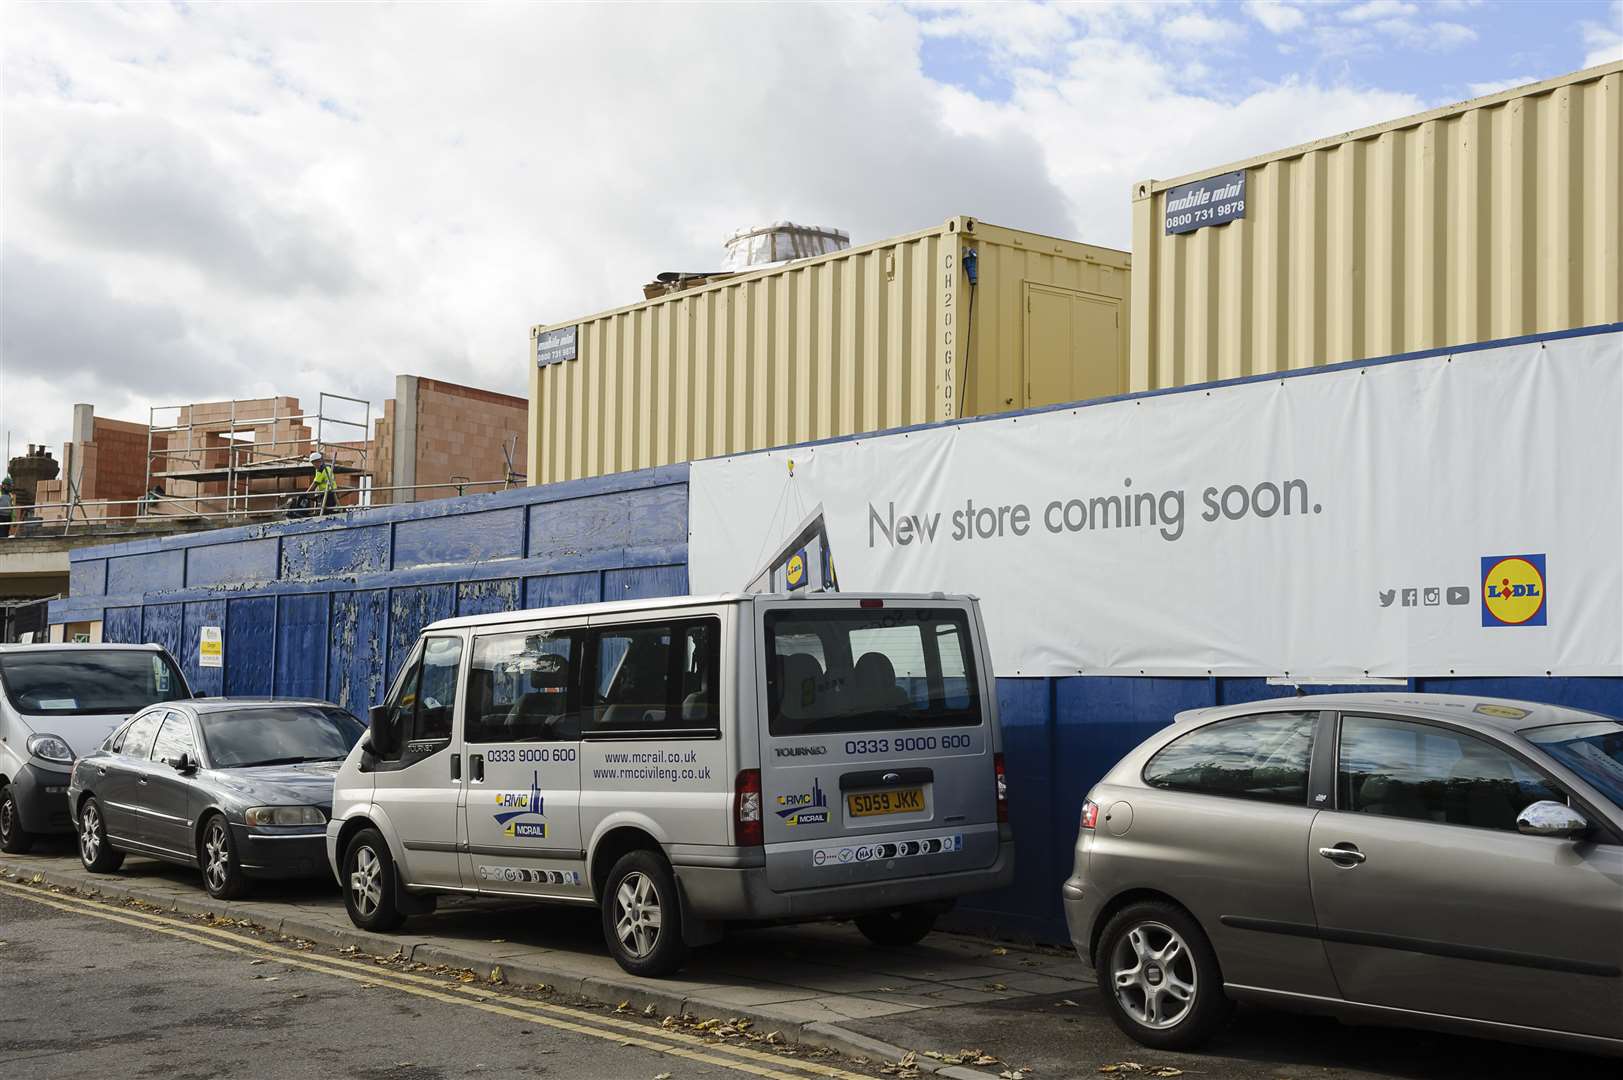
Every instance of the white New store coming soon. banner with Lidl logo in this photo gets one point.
(1450, 516)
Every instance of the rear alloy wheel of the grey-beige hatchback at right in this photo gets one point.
(1160, 977)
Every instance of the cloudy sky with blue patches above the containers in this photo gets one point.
(205, 202)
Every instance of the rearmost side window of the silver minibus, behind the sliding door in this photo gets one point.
(657, 680)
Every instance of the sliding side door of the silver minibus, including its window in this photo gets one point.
(523, 737)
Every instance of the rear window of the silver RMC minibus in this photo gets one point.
(835, 672)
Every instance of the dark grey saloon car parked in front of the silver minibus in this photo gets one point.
(235, 787)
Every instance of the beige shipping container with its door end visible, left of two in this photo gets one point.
(855, 342)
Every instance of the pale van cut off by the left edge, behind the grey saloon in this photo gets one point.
(56, 704)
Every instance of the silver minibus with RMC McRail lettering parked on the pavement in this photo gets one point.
(686, 764)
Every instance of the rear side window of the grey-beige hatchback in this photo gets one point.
(1247, 758)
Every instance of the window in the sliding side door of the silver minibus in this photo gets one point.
(525, 688)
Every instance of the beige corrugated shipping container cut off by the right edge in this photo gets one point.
(1487, 220)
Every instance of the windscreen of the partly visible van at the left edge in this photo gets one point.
(87, 681)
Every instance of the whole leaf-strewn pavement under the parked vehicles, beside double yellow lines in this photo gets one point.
(952, 1006)
